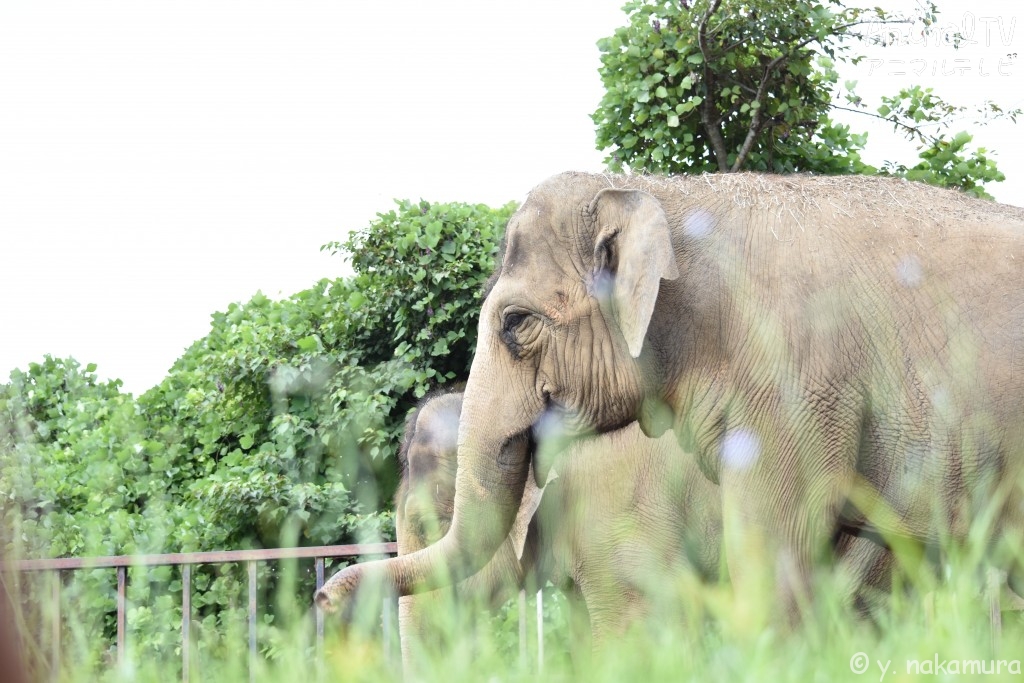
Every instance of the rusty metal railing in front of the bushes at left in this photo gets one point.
(186, 562)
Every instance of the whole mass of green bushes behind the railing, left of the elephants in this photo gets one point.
(278, 429)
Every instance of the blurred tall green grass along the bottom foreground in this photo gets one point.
(935, 623)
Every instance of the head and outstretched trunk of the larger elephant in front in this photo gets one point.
(562, 337)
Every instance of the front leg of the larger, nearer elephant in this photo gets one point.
(785, 480)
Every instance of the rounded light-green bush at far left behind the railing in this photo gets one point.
(81, 478)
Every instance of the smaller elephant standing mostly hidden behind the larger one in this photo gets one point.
(621, 521)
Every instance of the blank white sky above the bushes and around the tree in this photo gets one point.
(160, 160)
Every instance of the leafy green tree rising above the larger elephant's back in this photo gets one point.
(729, 86)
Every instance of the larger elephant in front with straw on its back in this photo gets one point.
(833, 351)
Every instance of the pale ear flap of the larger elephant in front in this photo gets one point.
(632, 254)
